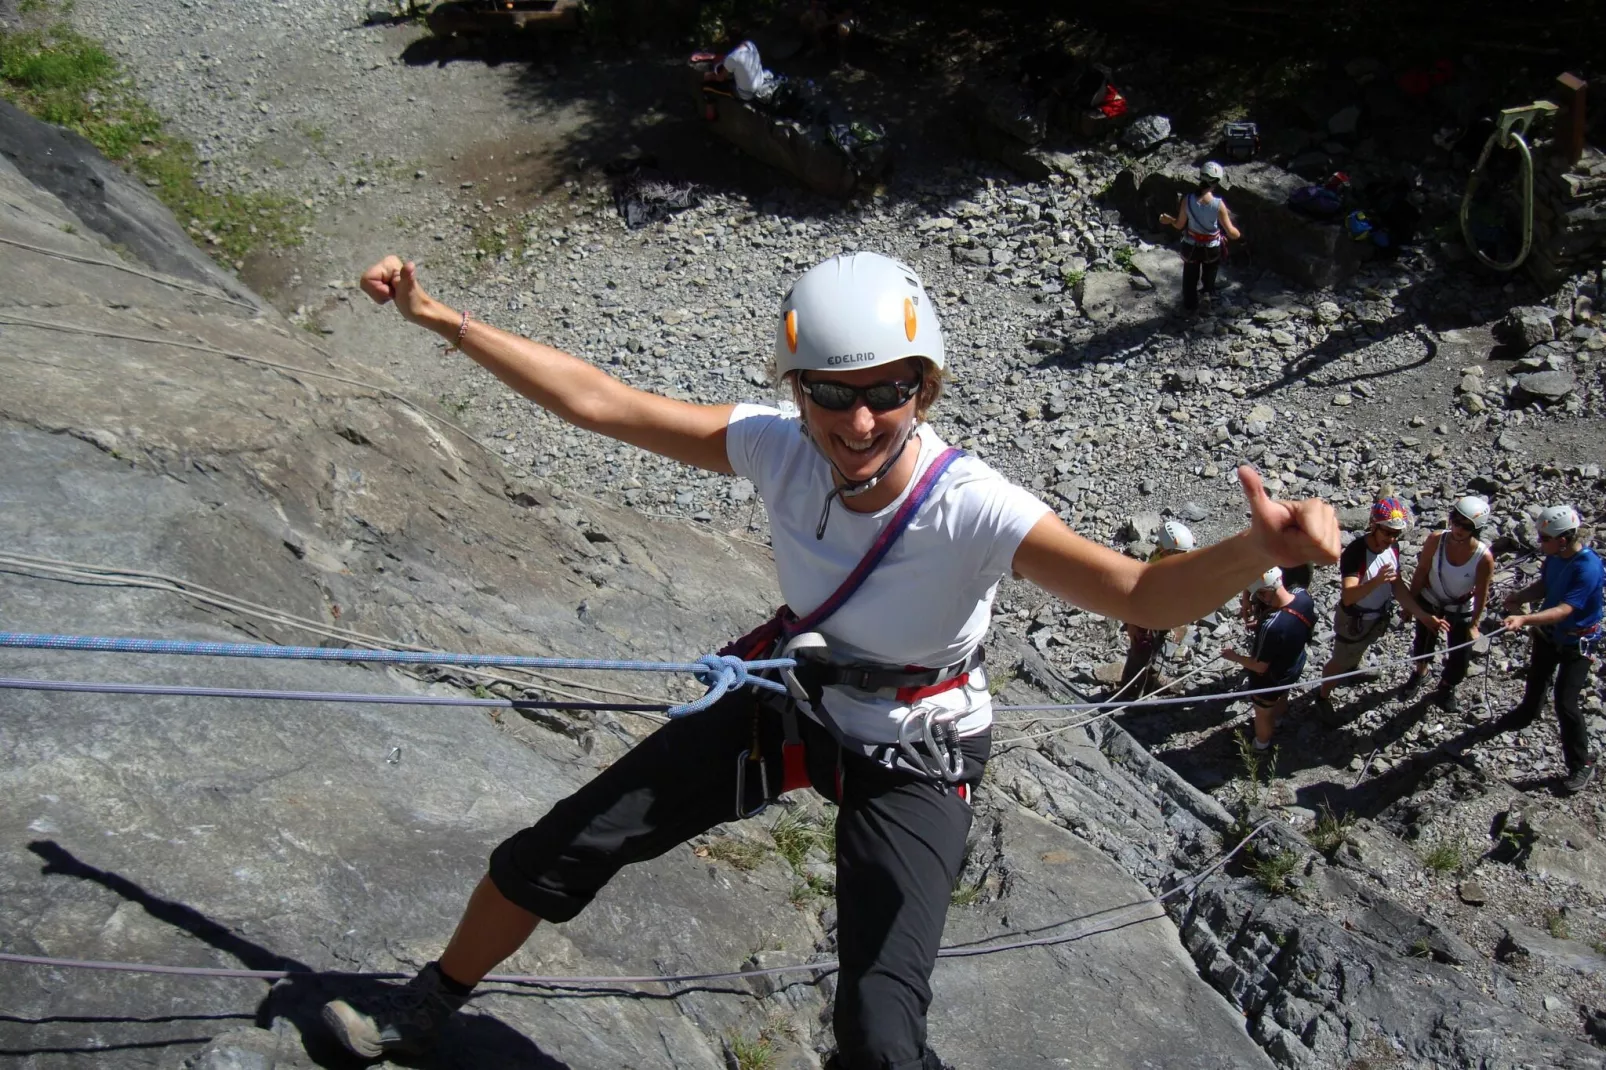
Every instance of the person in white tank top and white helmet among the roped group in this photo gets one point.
(1451, 582)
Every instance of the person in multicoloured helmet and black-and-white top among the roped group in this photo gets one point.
(1371, 582)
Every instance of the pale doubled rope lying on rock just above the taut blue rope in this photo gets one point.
(221, 600)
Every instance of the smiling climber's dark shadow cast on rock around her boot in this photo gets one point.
(470, 1040)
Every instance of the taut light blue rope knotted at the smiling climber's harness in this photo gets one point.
(719, 674)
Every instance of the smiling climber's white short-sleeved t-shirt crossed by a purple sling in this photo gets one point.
(929, 603)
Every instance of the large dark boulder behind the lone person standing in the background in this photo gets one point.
(1315, 255)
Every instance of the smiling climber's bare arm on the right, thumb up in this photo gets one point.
(1184, 587)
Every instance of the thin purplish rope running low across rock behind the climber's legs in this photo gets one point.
(1107, 920)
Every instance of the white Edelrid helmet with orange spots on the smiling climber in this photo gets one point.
(857, 311)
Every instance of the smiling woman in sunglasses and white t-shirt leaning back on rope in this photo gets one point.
(889, 547)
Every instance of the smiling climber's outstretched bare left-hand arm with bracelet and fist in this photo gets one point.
(566, 386)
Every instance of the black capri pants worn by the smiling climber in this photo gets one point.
(900, 849)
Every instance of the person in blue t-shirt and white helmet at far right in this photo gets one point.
(1565, 632)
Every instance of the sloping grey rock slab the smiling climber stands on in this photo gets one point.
(308, 836)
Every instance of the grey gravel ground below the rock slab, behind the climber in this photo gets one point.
(1406, 378)
